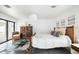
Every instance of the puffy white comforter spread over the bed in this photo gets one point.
(47, 41)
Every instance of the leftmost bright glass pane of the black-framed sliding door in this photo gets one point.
(2, 31)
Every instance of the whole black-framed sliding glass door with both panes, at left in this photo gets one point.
(6, 29)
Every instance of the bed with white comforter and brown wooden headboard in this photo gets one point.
(48, 41)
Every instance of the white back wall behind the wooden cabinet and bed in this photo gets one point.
(39, 25)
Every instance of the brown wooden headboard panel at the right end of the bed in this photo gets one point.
(70, 31)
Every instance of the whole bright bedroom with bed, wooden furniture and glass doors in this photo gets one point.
(39, 29)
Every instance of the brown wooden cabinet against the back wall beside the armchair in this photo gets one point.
(26, 31)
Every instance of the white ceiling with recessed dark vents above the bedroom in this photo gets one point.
(41, 11)
